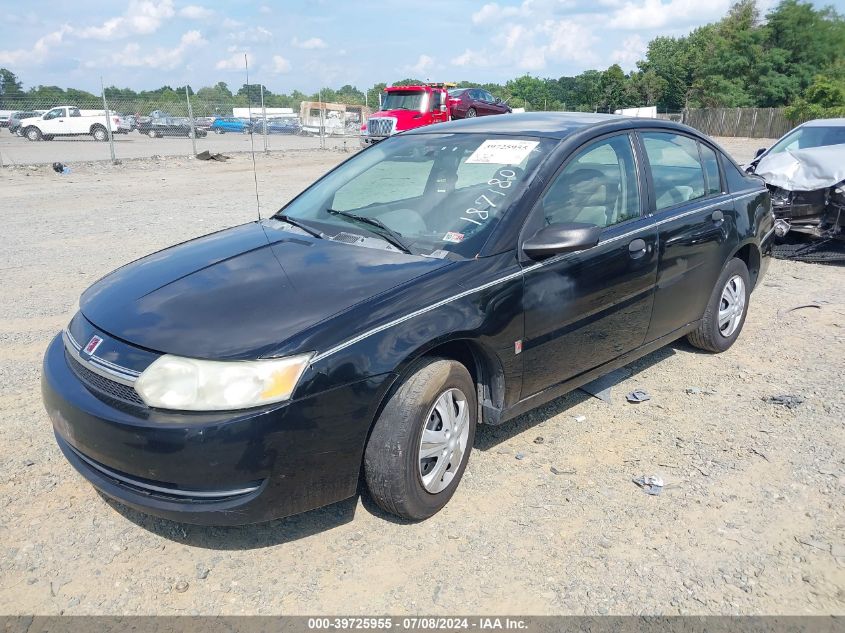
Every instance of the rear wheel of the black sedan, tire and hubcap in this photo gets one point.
(726, 310)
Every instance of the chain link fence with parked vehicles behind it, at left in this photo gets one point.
(46, 131)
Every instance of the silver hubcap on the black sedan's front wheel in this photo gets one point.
(444, 440)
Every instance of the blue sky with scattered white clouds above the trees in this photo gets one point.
(305, 45)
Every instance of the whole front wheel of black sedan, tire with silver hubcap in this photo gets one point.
(420, 445)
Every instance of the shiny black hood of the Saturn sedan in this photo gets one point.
(241, 292)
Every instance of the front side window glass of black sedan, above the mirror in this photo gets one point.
(598, 186)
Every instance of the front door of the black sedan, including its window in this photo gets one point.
(586, 308)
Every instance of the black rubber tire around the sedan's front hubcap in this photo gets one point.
(392, 466)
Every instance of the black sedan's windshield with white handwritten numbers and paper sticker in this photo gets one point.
(439, 192)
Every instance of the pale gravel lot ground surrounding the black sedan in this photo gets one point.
(750, 521)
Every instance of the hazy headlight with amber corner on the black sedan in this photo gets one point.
(188, 384)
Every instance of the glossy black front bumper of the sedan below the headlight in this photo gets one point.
(228, 468)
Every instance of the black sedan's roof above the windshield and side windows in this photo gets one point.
(557, 125)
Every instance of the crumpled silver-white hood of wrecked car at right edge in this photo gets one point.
(804, 169)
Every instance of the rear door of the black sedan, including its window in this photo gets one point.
(695, 216)
